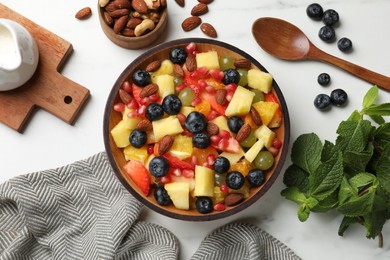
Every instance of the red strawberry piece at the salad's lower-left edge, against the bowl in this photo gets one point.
(139, 174)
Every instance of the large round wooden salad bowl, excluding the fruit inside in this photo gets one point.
(116, 157)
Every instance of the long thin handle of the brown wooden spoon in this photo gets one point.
(363, 73)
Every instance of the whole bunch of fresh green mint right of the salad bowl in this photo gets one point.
(351, 175)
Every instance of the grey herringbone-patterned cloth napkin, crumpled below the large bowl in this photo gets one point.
(81, 211)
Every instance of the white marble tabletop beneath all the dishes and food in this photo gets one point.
(48, 142)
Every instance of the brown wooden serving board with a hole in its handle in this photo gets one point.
(47, 89)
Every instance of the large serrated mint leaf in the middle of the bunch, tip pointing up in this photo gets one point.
(327, 178)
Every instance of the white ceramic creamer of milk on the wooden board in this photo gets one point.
(19, 55)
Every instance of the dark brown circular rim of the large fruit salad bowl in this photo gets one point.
(221, 214)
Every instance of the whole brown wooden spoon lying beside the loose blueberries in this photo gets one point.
(285, 41)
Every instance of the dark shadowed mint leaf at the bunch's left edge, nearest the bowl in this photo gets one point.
(296, 177)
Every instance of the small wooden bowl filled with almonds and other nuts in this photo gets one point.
(133, 24)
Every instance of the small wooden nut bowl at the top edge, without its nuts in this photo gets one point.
(135, 42)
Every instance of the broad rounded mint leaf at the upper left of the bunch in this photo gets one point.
(306, 152)
